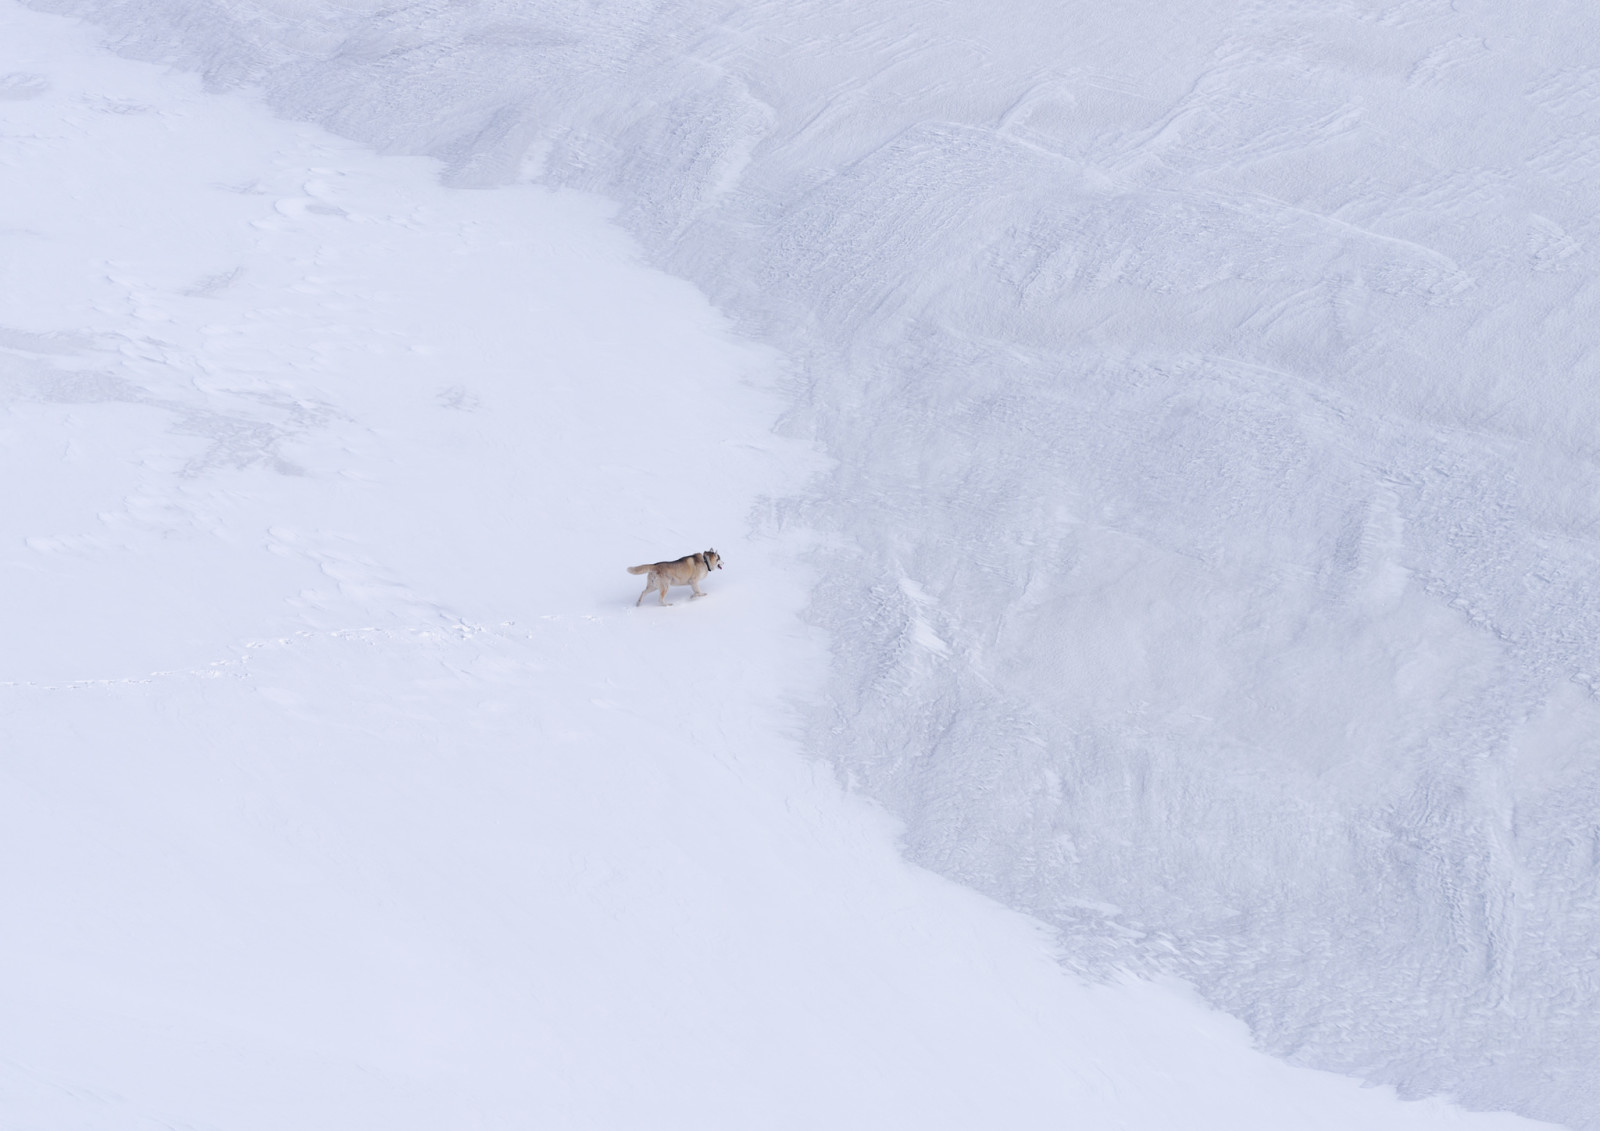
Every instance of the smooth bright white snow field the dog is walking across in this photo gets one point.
(342, 783)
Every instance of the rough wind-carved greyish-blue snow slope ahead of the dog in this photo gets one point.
(1212, 390)
